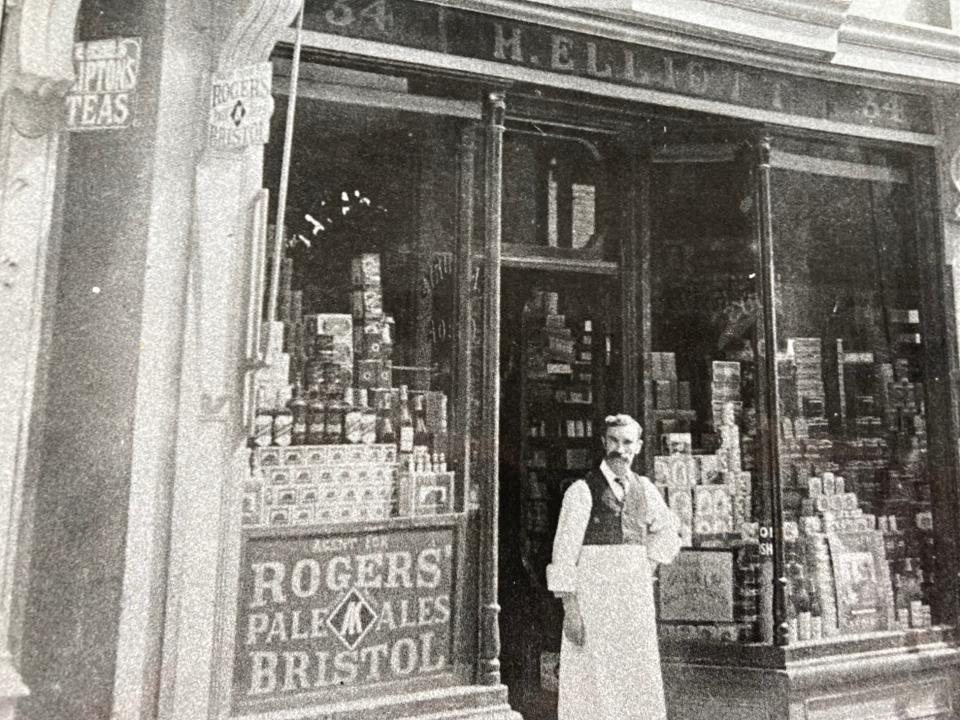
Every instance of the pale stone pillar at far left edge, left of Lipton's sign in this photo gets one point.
(36, 69)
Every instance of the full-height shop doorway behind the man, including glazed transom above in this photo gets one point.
(561, 367)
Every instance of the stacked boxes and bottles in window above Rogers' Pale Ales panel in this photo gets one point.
(333, 439)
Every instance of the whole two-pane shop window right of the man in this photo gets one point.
(854, 477)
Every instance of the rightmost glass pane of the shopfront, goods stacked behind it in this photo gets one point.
(859, 539)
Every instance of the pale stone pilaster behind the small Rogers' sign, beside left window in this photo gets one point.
(226, 236)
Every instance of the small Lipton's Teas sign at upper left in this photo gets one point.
(103, 94)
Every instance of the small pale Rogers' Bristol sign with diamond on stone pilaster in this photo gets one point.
(241, 104)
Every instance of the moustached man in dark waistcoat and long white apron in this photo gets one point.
(614, 528)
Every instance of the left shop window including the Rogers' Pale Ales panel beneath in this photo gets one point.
(355, 564)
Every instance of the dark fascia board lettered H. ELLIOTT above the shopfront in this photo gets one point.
(536, 47)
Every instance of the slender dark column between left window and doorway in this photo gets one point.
(489, 661)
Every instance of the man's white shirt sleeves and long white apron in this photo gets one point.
(616, 674)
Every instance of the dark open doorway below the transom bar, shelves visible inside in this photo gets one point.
(560, 374)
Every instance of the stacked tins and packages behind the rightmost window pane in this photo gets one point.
(853, 465)
